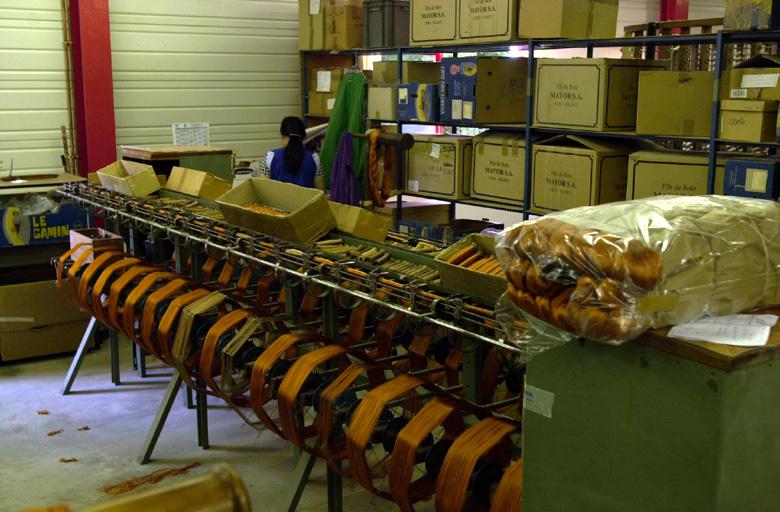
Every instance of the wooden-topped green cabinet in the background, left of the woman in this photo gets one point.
(217, 161)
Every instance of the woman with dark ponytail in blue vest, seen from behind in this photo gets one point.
(293, 163)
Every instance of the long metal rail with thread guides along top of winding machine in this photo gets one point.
(414, 299)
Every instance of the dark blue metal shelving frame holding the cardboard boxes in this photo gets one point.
(650, 43)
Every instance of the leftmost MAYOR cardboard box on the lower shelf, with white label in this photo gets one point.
(439, 166)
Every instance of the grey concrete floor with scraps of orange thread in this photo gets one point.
(118, 418)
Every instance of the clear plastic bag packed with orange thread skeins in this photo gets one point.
(612, 271)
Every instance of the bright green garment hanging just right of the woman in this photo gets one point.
(348, 116)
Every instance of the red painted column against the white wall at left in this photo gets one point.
(93, 84)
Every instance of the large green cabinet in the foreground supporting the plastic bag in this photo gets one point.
(657, 424)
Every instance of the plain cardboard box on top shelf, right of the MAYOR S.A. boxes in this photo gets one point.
(570, 19)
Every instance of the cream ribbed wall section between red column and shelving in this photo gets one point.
(233, 64)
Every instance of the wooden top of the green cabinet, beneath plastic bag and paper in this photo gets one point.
(725, 357)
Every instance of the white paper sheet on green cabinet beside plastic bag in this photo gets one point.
(737, 330)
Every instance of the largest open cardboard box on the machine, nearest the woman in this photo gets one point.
(309, 216)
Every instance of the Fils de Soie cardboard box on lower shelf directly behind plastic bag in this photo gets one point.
(682, 173)
